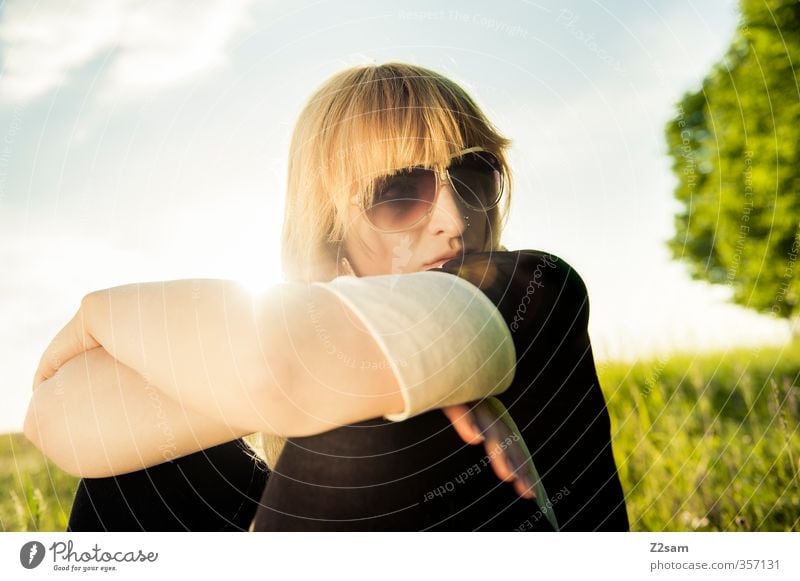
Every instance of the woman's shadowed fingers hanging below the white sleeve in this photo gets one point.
(489, 422)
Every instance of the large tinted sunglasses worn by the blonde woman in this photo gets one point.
(405, 198)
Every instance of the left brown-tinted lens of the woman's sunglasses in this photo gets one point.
(401, 200)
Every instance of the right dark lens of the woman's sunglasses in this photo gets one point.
(478, 178)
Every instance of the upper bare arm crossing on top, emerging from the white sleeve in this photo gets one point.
(258, 362)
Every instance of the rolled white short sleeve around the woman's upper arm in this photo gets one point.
(445, 341)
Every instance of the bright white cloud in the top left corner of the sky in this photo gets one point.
(154, 44)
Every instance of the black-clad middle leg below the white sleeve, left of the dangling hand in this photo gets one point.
(415, 475)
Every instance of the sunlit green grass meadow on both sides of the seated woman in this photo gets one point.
(707, 443)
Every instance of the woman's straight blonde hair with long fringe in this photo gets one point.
(362, 123)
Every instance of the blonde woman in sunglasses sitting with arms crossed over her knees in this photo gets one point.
(400, 300)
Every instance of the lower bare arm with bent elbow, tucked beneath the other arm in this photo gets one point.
(97, 417)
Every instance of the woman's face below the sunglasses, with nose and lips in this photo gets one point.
(452, 229)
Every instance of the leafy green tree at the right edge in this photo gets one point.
(734, 144)
